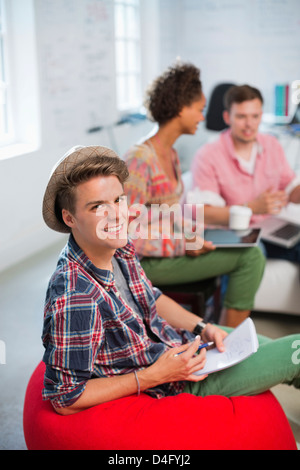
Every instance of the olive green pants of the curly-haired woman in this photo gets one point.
(244, 266)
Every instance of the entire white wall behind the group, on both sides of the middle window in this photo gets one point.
(257, 41)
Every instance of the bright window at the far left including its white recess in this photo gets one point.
(19, 90)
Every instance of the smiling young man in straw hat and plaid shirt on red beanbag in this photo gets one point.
(107, 332)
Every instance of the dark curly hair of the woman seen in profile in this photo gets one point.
(177, 87)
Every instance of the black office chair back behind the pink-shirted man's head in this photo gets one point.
(214, 115)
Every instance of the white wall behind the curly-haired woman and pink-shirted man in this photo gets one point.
(238, 41)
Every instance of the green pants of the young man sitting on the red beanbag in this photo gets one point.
(276, 361)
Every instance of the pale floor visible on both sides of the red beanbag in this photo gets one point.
(22, 296)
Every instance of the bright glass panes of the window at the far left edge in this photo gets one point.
(5, 124)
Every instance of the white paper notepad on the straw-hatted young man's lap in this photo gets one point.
(241, 343)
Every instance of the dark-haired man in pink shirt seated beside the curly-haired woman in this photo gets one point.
(245, 167)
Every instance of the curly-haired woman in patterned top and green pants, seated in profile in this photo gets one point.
(175, 101)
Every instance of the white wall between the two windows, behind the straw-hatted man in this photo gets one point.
(73, 97)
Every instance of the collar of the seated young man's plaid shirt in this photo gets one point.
(103, 276)
